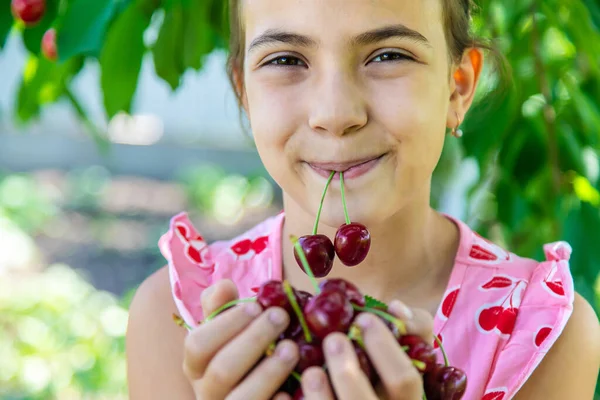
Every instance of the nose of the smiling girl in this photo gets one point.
(338, 106)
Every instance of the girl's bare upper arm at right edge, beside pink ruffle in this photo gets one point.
(570, 368)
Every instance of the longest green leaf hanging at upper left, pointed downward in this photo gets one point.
(121, 59)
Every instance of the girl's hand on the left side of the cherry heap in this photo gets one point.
(220, 355)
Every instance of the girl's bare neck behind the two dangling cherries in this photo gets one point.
(411, 255)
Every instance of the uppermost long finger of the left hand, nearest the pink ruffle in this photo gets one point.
(204, 341)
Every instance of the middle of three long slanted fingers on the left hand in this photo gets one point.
(240, 355)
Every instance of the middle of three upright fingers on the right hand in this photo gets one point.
(349, 381)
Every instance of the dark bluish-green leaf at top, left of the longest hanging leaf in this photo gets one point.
(83, 27)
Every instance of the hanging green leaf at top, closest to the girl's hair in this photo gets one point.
(199, 38)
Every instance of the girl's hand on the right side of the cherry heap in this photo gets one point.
(399, 378)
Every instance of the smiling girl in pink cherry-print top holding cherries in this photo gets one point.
(367, 88)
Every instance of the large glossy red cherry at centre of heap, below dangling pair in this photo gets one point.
(327, 312)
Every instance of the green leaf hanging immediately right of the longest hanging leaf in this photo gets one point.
(168, 49)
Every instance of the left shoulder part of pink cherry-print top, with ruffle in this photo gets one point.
(248, 260)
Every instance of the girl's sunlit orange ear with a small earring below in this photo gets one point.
(463, 85)
